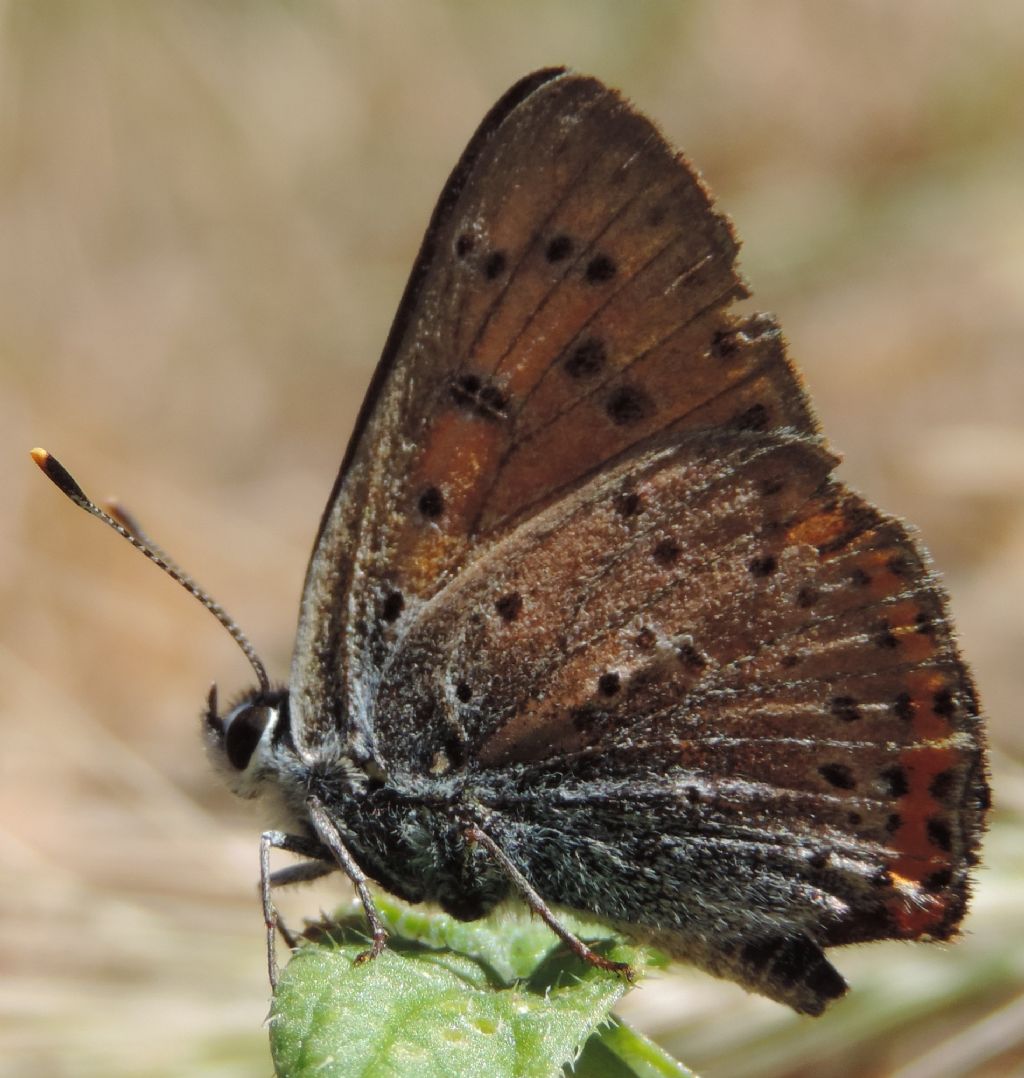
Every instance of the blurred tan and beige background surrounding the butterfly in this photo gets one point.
(207, 215)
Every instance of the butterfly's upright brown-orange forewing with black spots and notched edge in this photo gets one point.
(569, 306)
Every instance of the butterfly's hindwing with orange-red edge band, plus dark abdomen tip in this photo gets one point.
(729, 703)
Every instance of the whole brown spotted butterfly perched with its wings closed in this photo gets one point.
(589, 620)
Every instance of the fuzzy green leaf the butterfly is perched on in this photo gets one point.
(495, 998)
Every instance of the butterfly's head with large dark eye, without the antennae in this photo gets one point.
(252, 743)
